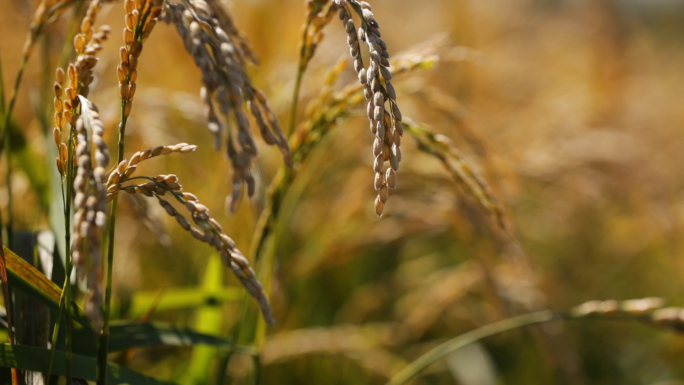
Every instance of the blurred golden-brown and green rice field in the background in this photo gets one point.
(570, 110)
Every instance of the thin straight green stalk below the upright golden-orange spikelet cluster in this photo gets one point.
(103, 340)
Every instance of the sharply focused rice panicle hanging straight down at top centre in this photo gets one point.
(383, 112)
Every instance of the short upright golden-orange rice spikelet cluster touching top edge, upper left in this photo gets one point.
(140, 19)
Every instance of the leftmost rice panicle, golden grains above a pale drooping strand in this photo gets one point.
(85, 142)
